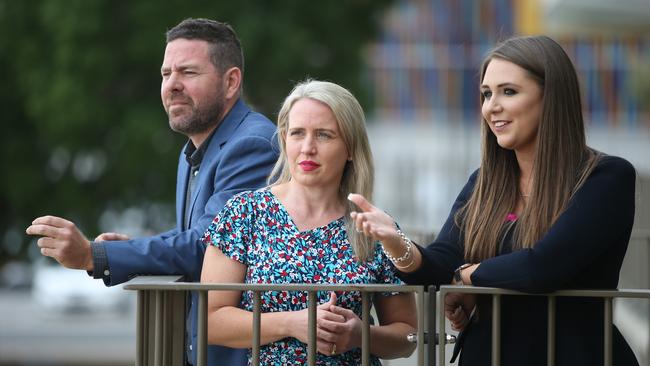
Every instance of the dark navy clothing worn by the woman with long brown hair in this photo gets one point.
(584, 249)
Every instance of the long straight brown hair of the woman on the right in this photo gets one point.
(561, 165)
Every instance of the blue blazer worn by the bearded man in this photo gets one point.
(239, 157)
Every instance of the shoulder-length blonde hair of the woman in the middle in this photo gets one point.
(358, 176)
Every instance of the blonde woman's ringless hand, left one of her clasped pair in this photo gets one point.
(299, 327)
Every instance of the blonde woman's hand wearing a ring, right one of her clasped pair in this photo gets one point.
(345, 335)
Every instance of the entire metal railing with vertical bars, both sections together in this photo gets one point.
(161, 317)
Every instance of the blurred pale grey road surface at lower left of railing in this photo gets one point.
(31, 336)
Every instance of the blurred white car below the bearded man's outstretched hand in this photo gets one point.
(60, 290)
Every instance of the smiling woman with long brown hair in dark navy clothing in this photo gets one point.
(544, 212)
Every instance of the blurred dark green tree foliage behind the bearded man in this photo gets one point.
(84, 131)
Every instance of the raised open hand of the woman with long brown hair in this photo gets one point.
(372, 221)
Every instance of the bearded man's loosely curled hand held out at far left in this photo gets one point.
(62, 240)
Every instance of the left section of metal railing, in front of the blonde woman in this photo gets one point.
(161, 316)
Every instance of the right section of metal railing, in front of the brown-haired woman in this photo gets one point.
(606, 295)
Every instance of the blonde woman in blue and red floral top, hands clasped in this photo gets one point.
(298, 230)
